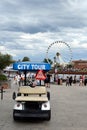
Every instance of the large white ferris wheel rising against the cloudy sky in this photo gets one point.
(59, 52)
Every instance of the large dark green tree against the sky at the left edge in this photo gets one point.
(5, 60)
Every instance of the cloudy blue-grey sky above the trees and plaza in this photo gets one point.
(32, 27)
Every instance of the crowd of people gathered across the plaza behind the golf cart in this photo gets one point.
(69, 80)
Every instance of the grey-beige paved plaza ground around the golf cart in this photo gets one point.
(68, 105)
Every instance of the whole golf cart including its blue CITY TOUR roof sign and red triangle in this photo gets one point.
(32, 101)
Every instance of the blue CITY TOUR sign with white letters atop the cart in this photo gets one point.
(31, 66)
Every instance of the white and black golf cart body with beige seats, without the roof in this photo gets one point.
(32, 103)
